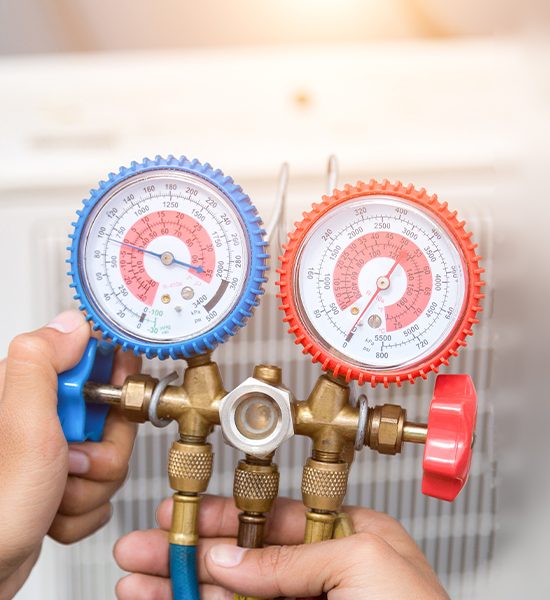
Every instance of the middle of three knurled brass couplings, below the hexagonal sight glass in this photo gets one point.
(255, 486)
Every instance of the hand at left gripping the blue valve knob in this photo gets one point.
(49, 486)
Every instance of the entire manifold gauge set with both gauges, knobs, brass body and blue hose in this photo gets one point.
(379, 283)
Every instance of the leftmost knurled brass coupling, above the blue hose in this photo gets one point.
(190, 467)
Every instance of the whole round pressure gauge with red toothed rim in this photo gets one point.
(380, 286)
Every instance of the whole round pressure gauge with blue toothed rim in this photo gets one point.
(168, 257)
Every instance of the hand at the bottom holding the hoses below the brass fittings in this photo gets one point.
(379, 562)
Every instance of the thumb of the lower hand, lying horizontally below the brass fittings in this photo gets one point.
(287, 571)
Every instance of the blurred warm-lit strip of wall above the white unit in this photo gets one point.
(37, 26)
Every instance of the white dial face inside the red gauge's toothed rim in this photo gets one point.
(380, 283)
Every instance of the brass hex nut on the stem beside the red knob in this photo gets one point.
(385, 428)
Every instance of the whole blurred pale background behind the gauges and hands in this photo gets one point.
(452, 96)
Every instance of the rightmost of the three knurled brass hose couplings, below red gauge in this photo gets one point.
(324, 484)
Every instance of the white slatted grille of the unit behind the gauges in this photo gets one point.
(457, 538)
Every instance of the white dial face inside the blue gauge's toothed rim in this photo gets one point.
(164, 256)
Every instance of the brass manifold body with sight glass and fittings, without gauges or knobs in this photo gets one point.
(257, 417)
